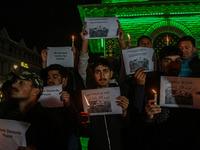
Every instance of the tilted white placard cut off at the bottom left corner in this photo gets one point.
(12, 134)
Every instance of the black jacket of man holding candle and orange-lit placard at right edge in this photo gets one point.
(173, 128)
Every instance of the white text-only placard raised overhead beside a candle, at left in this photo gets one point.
(60, 55)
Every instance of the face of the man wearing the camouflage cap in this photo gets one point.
(22, 89)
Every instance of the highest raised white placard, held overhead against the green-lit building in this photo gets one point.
(101, 27)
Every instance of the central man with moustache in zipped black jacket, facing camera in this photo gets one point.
(105, 131)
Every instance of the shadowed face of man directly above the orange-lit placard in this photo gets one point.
(171, 65)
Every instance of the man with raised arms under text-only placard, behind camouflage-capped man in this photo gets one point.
(69, 78)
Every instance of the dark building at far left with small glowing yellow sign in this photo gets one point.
(16, 56)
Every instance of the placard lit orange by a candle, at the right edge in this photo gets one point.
(180, 92)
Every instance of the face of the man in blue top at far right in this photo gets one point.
(187, 49)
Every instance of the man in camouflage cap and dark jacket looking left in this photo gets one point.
(45, 130)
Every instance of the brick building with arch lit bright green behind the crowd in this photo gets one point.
(156, 19)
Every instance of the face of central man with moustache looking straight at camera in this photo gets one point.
(102, 76)
